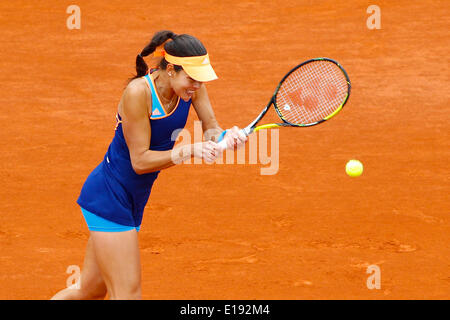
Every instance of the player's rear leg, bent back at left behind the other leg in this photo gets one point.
(91, 286)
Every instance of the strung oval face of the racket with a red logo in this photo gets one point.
(312, 92)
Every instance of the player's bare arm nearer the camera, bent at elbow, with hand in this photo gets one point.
(137, 133)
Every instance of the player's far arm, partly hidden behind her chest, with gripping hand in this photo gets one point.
(210, 126)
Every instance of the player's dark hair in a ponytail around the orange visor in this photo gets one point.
(183, 45)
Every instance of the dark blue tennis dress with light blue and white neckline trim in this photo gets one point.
(113, 190)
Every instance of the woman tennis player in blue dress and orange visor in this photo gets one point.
(153, 105)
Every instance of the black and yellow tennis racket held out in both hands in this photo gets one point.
(311, 93)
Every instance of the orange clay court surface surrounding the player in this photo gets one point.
(226, 231)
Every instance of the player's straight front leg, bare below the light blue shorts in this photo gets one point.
(118, 258)
